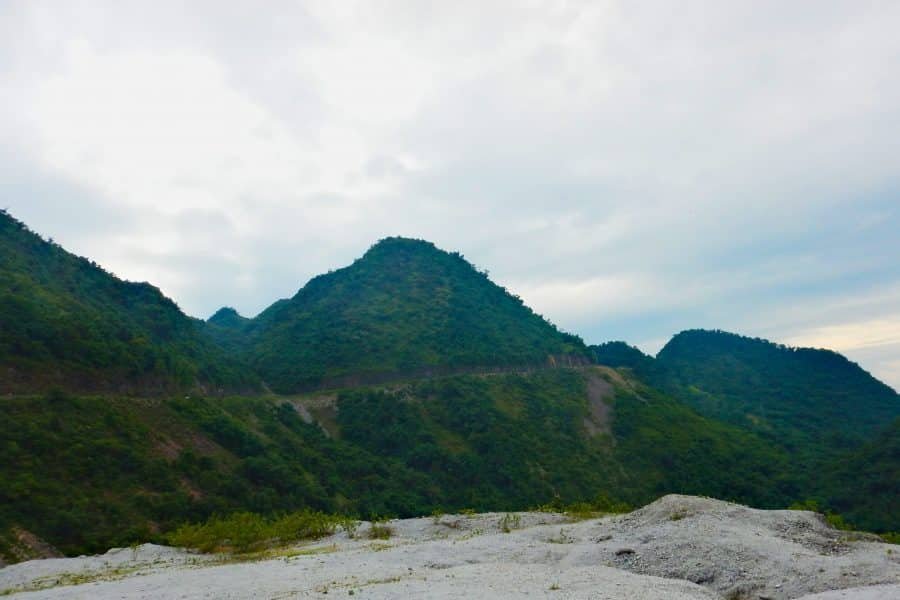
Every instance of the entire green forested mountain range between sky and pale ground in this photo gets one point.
(448, 396)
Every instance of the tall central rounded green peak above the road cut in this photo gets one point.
(404, 309)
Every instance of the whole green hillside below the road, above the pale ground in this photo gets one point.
(135, 469)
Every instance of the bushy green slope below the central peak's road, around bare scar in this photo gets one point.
(509, 442)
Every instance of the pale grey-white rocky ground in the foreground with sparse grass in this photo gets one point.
(679, 547)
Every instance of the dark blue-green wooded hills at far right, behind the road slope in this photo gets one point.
(816, 406)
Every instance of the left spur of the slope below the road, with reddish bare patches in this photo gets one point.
(85, 474)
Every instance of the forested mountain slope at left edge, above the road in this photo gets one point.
(66, 322)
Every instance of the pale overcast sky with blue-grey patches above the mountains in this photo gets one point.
(630, 169)
